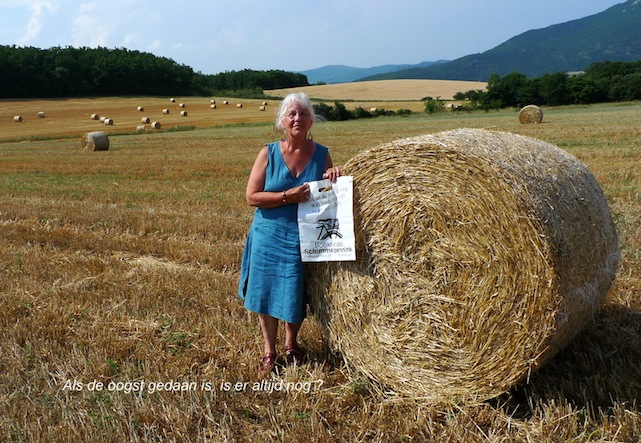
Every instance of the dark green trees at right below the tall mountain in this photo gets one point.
(599, 83)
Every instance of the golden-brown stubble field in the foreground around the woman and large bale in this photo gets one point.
(121, 266)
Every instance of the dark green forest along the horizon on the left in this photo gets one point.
(27, 72)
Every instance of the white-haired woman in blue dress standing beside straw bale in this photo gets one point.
(272, 272)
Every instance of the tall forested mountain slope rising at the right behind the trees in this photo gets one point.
(612, 35)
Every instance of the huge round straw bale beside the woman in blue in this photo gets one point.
(479, 256)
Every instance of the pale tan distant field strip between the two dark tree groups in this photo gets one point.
(387, 90)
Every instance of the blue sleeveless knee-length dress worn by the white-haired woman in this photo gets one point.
(272, 273)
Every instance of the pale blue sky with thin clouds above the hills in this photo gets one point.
(215, 36)
